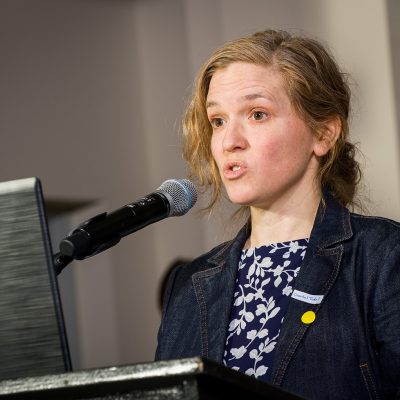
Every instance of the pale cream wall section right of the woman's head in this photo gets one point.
(362, 42)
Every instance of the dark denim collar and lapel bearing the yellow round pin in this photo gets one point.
(318, 273)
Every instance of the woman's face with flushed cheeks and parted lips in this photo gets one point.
(264, 151)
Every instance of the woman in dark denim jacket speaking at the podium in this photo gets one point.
(307, 296)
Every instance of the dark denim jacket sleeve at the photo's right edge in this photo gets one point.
(386, 317)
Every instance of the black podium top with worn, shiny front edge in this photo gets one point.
(189, 379)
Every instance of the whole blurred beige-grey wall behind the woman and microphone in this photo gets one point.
(91, 97)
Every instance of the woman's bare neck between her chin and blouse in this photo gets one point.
(287, 221)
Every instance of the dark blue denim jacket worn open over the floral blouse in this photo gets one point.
(350, 351)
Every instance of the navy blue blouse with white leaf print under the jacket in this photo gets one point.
(264, 284)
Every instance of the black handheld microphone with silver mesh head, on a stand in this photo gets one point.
(175, 197)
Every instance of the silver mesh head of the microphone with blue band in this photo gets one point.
(181, 193)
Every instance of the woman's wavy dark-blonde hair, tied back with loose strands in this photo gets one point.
(318, 91)
